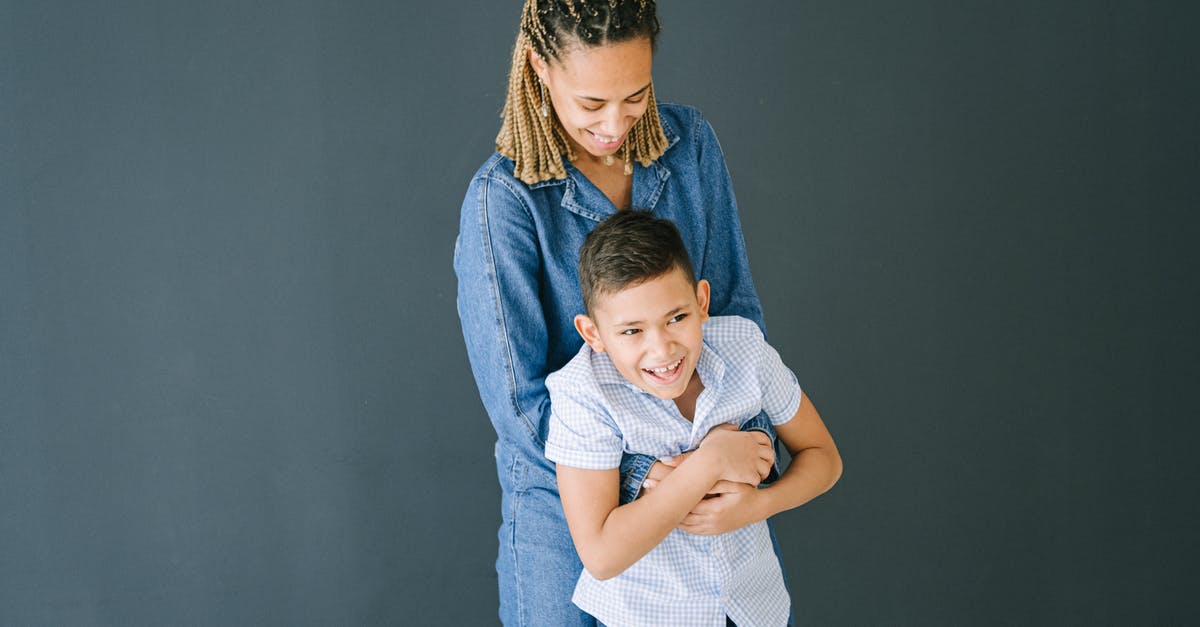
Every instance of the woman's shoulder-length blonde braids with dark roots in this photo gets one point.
(537, 145)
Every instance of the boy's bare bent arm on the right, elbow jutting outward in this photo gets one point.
(815, 468)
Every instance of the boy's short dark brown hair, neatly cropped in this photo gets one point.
(628, 249)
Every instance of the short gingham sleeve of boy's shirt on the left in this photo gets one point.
(583, 434)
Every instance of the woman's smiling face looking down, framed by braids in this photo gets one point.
(598, 92)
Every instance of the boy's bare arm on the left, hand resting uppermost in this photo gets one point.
(610, 538)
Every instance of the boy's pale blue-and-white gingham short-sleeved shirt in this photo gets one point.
(687, 581)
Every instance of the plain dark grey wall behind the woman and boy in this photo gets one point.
(233, 389)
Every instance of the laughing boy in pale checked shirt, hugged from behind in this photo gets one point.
(658, 378)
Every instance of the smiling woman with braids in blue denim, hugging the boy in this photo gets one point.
(583, 138)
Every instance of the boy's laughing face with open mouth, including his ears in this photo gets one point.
(651, 331)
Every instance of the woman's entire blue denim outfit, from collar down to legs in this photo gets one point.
(519, 292)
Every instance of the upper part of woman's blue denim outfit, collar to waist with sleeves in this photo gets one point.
(517, 258)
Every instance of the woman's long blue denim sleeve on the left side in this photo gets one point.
(499, 268)
